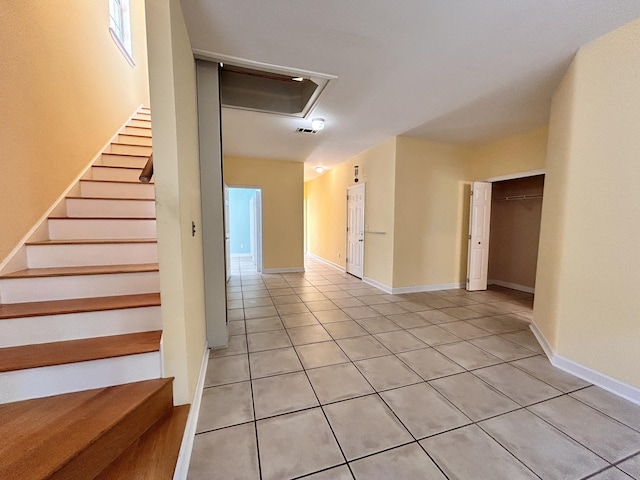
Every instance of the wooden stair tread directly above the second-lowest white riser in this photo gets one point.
(78, 305)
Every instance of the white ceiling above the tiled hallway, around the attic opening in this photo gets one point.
(458, 71)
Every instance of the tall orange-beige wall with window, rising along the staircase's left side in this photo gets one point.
(66, 89)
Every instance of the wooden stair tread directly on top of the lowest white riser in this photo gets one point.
(70, 351)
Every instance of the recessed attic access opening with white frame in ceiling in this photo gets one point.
(261, 91)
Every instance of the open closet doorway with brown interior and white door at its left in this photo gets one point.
(511, 233)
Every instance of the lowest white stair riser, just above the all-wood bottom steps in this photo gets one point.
(74, 377)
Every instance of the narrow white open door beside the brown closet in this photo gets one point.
(479, 223)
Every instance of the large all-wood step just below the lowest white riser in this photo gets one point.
(76, 436)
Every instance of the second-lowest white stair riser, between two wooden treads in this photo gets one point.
(75, 326)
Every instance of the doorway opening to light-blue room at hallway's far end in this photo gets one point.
(245, 226)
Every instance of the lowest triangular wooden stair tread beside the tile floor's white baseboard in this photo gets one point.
(154, 455)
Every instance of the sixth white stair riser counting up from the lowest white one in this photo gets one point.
(77, 207)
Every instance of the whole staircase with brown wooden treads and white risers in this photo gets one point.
(81, 393)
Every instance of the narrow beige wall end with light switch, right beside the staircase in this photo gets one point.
(177, 180)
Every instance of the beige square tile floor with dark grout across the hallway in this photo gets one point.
(326, 377)
